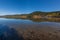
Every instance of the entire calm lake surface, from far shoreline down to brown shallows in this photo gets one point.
(30, 28)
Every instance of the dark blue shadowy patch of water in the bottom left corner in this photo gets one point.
(7, 33)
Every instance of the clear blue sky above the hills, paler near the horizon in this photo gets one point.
(11, 7)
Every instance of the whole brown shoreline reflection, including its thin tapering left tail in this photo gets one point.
(41, 19)
